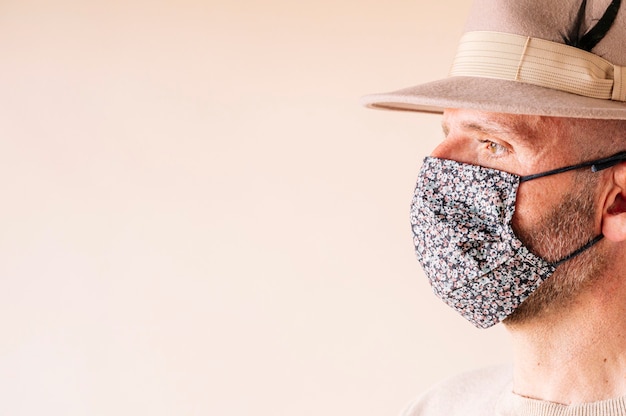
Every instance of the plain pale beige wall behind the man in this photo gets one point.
(198, 218)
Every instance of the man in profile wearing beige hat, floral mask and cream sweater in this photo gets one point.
(519, 215)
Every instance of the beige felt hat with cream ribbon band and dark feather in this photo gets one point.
(562, 58)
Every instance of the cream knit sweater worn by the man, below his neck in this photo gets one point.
(488, 392)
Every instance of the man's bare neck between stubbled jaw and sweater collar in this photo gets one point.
(576, 356)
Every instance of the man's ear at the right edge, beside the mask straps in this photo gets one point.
(614, 211)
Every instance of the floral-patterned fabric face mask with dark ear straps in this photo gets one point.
(461, 217)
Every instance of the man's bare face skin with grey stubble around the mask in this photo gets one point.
(554, 215)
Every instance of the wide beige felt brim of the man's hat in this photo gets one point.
(495, 95)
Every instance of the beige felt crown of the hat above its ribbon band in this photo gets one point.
(551, 20)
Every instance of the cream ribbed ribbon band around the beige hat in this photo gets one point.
(539, 62)
